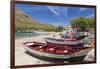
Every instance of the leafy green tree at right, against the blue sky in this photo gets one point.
(82, 23)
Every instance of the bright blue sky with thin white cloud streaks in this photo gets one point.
(55, 15)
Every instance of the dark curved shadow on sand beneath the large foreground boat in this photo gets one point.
(75, 59)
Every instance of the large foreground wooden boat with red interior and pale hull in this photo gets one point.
(55, 51)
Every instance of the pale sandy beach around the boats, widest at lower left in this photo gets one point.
(22, 57)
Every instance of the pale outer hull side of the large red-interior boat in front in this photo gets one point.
(57, 56)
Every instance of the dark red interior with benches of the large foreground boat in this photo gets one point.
(53, 48)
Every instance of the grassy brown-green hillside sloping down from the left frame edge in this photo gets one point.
(24, 22)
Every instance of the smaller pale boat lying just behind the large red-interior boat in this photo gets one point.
(64, 41)
